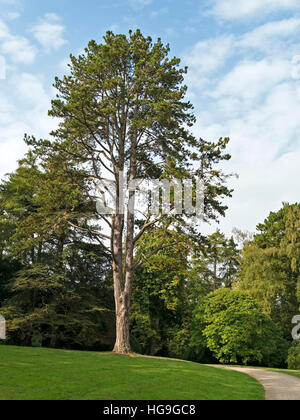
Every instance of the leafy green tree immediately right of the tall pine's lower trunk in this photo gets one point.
(159, 297)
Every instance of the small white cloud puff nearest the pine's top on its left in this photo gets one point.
(49, 32)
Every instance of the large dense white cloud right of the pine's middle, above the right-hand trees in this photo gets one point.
(265, 149)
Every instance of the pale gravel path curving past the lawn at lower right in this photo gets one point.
(278, 386)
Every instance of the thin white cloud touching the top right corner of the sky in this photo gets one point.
(233, 9)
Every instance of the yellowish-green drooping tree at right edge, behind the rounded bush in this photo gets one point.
(267, 270)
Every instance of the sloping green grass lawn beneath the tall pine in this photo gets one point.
(45, 374)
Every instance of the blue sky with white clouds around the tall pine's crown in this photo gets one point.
(244, 79)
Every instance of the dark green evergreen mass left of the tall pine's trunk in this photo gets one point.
(59, 294)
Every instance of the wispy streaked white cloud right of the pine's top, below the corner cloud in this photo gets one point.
(206, 59)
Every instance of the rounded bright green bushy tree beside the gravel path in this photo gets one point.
(233, 327)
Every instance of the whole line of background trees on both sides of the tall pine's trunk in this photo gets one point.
(56, 283)
